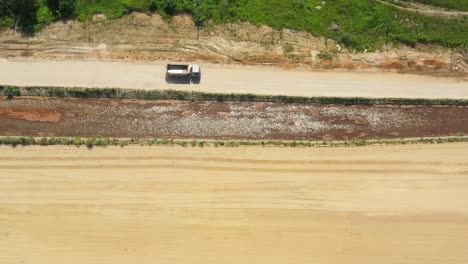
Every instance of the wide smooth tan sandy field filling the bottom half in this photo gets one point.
(394, 204)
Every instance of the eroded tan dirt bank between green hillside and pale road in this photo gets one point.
(139, 37)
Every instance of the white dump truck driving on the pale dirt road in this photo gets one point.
(183, 73)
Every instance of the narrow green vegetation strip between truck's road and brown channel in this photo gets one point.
(117, 93)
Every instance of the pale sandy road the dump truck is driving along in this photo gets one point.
(230, 78)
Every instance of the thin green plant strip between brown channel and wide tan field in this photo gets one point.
(92, 142)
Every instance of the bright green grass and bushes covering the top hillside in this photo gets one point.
(363, 24)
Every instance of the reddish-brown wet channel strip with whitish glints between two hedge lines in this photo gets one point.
(228, 120)
